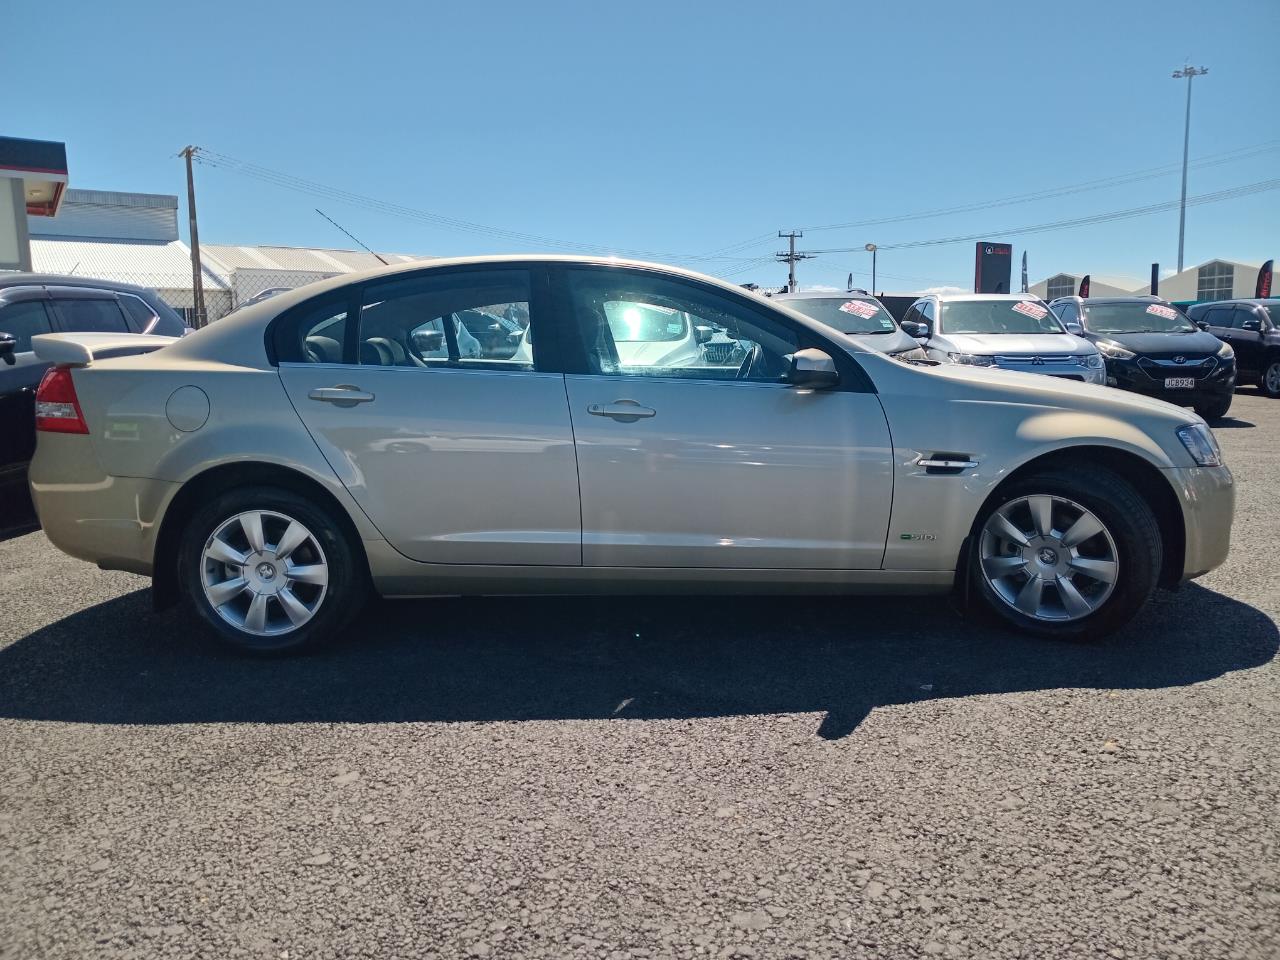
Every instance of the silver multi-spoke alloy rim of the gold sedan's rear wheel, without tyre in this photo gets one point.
(264, 573)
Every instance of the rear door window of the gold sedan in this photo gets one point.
(479, 319)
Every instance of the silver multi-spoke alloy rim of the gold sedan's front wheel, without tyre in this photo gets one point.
(1049, 559)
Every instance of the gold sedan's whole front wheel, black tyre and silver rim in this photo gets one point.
(1069, 555)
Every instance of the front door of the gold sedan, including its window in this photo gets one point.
(711, 460)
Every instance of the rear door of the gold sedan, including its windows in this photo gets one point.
(458, 458)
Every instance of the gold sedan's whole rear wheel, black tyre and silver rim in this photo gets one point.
(269, 572)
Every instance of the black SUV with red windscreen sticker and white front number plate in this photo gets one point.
(1151, 348)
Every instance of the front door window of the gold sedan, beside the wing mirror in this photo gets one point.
(643, 326)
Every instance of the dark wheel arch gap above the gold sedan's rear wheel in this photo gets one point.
(200, 488)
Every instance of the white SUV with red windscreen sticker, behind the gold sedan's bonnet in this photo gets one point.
(1005, 331)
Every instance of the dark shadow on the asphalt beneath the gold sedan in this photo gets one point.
(514, 660)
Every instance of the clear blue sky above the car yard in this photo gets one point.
(674, 129)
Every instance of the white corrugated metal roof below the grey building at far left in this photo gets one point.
(149, 264)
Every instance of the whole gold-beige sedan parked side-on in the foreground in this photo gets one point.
(278, 465)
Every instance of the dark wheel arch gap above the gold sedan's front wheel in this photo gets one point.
(1148, 479)
